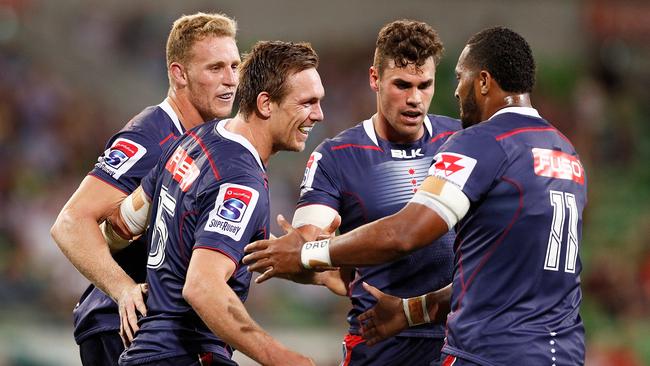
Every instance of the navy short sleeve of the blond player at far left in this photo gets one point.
(128, 157)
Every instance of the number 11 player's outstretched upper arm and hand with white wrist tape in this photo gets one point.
(433, 211)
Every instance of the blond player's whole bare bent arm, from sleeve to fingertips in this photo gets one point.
(78, 235)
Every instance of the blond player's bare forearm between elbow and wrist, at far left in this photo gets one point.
(81, 241)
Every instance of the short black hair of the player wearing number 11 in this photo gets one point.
(506, 56)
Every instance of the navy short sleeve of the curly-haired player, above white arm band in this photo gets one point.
(320, 181)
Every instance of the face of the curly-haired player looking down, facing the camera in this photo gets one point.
(404, 95)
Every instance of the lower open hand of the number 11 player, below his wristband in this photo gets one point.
(385, 319)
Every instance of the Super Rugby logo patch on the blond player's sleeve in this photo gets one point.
(120, 157)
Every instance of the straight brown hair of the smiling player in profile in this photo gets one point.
(266, 69)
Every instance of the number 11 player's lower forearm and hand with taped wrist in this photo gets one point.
(391, 314)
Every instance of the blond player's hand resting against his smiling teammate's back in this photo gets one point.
(130, 303)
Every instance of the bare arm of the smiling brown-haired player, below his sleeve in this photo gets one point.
(207, 291)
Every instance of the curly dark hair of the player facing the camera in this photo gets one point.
(407, 42)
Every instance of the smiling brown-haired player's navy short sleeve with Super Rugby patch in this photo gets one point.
(230, 216)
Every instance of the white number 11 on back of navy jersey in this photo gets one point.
(562, 202)
